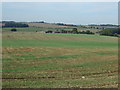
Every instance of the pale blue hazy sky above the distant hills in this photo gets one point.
(62, 12)
